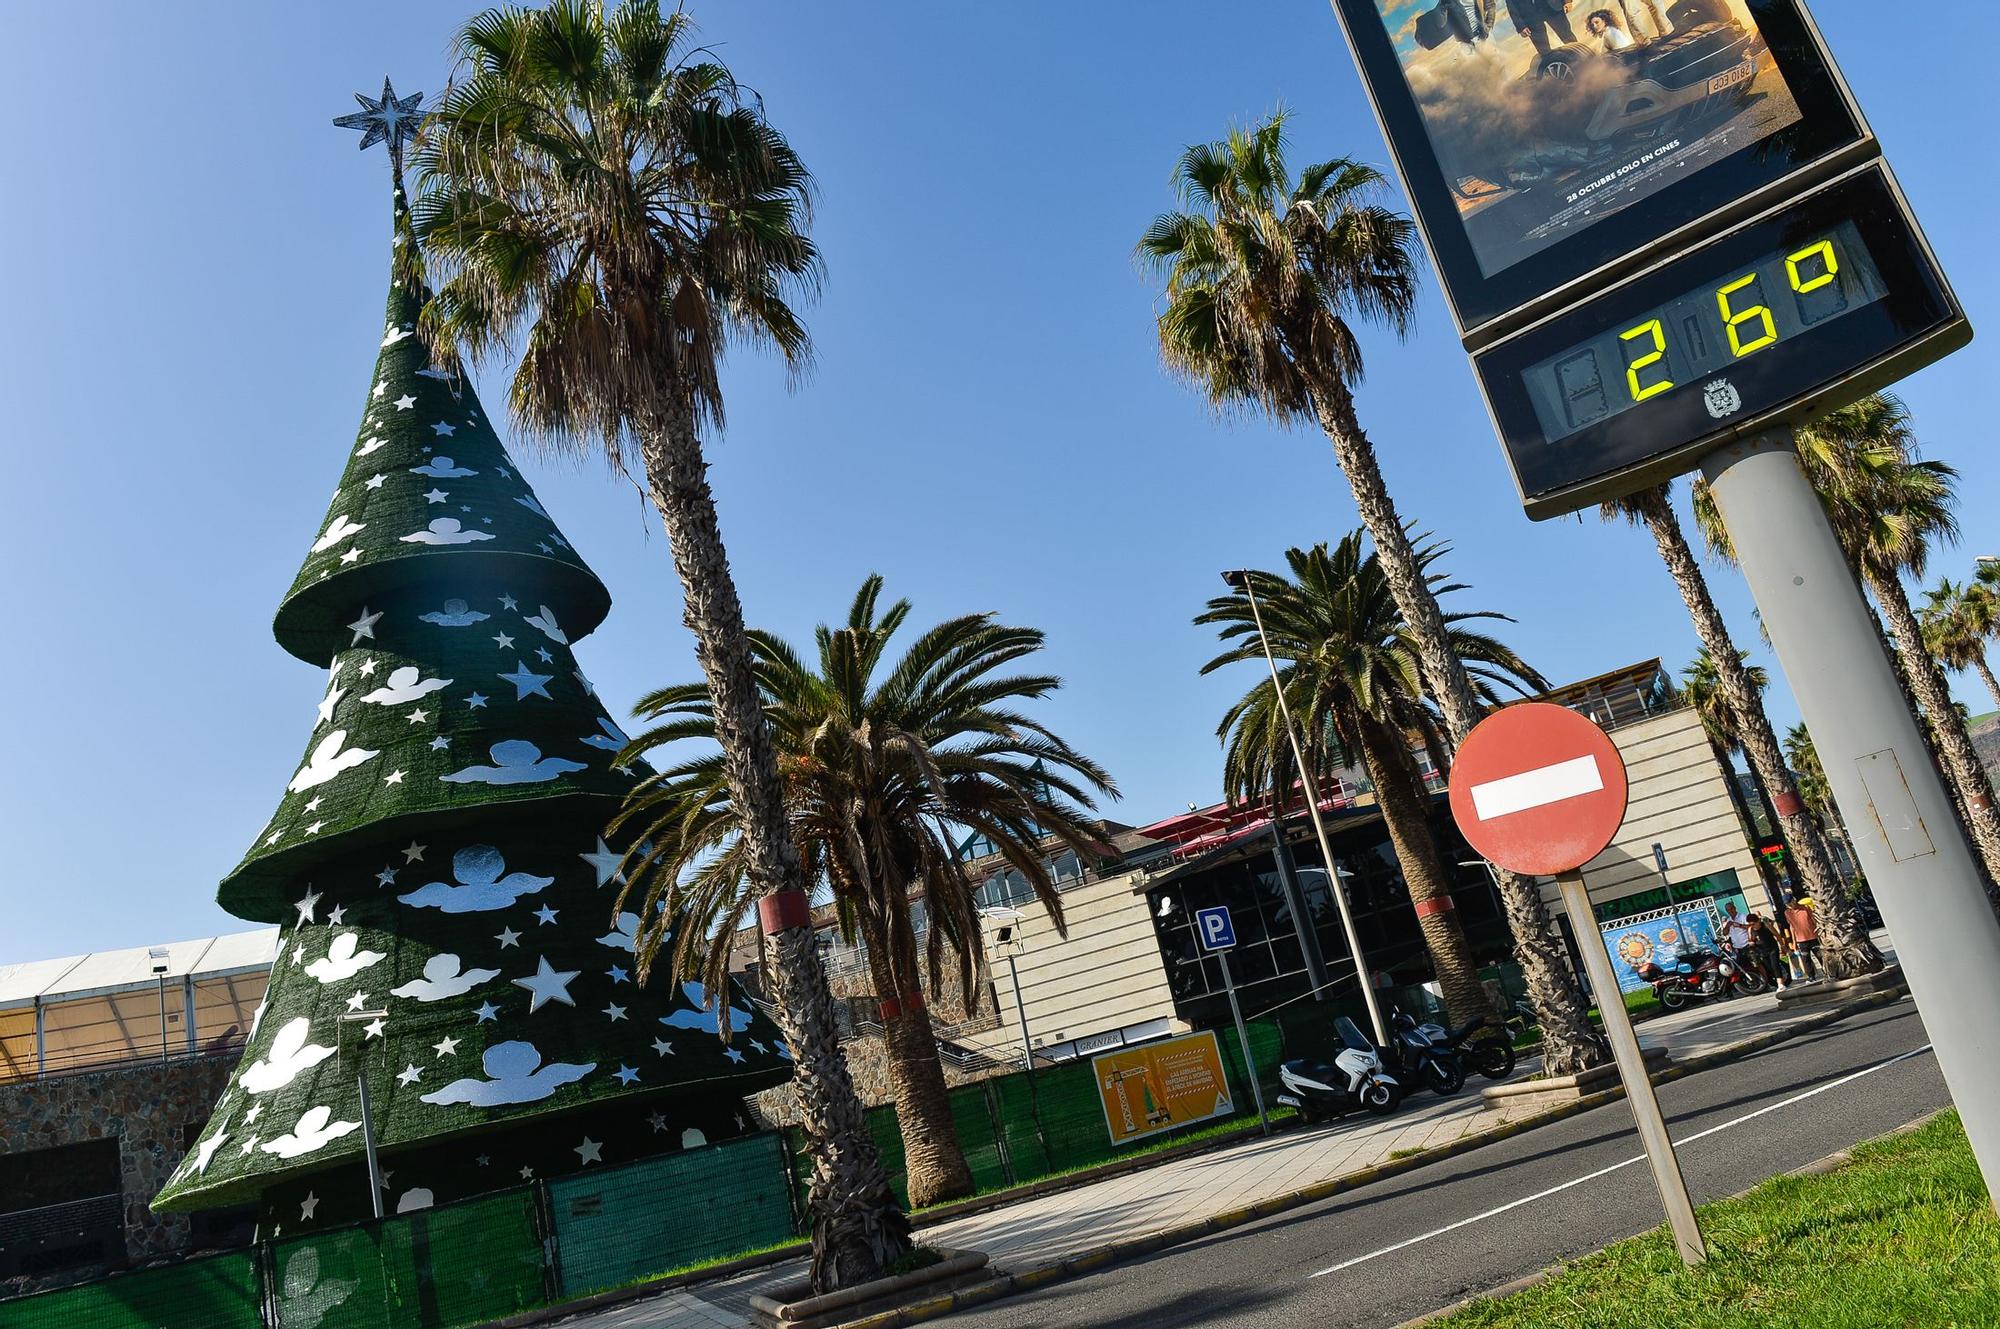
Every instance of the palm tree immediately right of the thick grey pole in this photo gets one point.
(1891, 509)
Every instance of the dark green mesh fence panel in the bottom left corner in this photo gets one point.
(203, 1294)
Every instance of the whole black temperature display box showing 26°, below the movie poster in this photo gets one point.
(1773, 323)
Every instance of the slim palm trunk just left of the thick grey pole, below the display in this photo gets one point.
(1845, 944)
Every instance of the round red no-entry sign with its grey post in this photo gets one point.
(1541, 792)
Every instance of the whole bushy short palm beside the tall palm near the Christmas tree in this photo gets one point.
(881, 760)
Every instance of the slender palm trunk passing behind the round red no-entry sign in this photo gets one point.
(1569, 1042)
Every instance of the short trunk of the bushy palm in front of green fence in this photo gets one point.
(933, 1158)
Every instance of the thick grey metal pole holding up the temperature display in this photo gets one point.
(1899, 816)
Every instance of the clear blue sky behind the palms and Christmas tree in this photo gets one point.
(193, 305)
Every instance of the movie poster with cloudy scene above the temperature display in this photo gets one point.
(1549, 117)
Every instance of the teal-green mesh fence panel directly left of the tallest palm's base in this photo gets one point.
(653, 1218)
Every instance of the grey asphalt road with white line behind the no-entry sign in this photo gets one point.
(1401, 1248)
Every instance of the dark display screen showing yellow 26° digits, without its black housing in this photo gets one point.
(1685, 343)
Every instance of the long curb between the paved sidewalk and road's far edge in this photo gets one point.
(1069, 1268)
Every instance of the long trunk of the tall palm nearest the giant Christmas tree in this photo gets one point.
(857, 1228)
